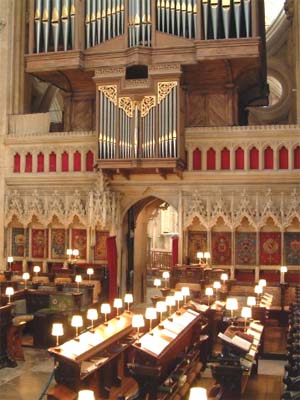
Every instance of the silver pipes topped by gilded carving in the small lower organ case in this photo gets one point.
(146, 128)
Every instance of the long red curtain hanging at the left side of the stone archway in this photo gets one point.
(112, 267)
